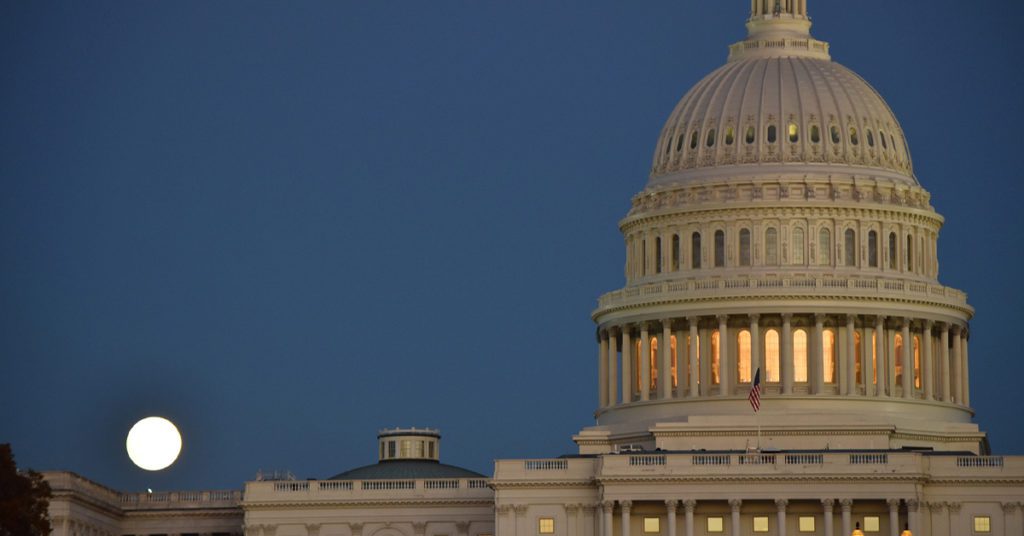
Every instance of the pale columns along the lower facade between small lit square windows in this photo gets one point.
(829, 513)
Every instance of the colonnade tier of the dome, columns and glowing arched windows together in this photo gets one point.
(814, 354)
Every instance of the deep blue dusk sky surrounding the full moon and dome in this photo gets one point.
(287, 225)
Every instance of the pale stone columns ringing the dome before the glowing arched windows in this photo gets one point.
(617, 346)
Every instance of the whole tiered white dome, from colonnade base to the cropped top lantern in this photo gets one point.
(783, 235)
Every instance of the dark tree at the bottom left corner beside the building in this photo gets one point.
(25, 499)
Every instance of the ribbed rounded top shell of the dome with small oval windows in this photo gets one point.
(782, 100)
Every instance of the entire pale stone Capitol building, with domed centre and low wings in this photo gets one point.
(782, 243)
